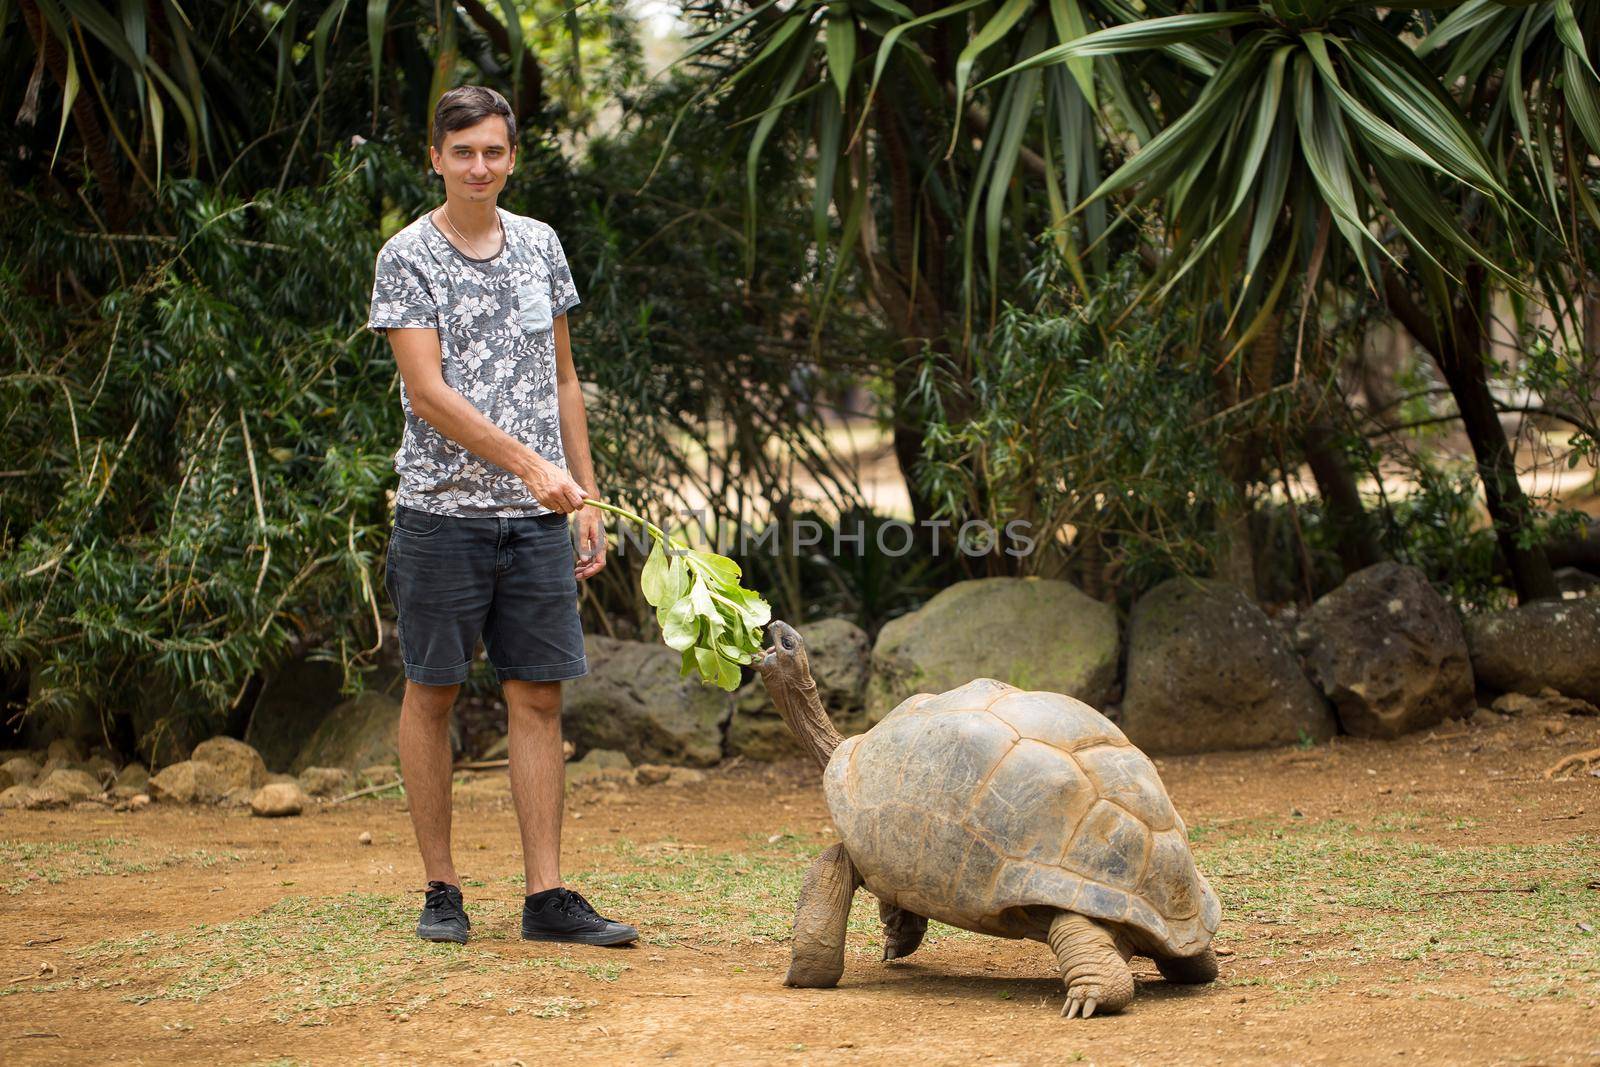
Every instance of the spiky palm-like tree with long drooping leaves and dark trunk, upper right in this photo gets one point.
(1281, 145)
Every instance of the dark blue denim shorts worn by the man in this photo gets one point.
(505, 580)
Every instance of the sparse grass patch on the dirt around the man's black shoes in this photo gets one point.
(306, 957)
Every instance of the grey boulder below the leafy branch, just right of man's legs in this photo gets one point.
(633, 700)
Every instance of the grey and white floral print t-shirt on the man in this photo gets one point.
(497, 340)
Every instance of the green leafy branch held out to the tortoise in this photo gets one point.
(700, 605)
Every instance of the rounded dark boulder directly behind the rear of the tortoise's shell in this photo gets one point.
(1207, 671)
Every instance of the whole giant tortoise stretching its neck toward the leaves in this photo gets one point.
(1009, 813)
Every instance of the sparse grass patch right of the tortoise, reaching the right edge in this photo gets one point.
(1522, 908)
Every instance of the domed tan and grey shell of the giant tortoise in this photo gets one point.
(977, 805)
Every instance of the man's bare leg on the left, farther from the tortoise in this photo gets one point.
(425, 764)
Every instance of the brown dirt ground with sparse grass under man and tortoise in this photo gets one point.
(1433, 900)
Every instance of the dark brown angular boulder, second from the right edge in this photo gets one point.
(1388, 650)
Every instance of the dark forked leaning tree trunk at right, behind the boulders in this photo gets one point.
(1460, 359)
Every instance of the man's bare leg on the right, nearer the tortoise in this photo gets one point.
(538, 777)
